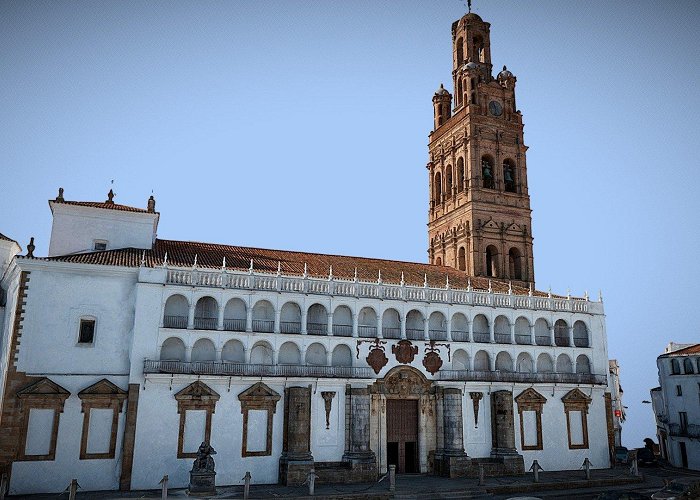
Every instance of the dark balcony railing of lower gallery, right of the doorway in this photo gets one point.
(483, 376)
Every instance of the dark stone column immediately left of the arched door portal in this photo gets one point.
(357, 416)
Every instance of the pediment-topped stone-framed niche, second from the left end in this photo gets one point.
(101, 405)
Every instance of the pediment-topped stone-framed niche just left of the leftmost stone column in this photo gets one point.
(258, 406)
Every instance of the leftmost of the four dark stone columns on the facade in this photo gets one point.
(296, 460)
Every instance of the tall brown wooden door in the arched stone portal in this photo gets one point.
(402, 434)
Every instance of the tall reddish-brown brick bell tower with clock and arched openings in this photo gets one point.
(479, 219)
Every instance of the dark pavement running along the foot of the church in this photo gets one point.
(421, 487)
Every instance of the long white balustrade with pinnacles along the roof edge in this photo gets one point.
(349, 288)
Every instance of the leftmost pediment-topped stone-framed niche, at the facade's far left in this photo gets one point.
(41, 404)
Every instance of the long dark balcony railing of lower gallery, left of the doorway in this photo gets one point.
(253, 370)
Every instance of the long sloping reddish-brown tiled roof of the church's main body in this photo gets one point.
(182, 254)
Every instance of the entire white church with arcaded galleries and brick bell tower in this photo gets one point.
(122, 352)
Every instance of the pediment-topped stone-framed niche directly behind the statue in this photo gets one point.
(195, 404)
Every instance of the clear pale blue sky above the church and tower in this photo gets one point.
(303, 125)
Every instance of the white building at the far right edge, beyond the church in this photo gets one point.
(676, 405)
